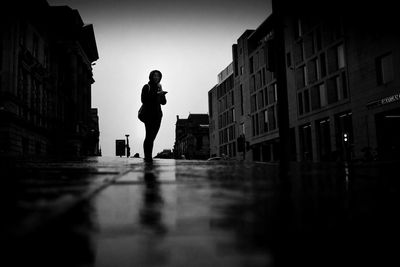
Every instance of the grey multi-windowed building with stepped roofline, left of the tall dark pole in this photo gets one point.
(246, 113)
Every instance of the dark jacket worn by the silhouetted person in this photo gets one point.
(152, 101)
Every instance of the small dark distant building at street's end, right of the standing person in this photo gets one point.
(192, 137)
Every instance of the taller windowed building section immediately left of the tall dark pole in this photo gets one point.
(257, 84)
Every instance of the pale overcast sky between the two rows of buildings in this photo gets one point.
(190, 42)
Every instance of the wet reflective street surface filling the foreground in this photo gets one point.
(122, 212)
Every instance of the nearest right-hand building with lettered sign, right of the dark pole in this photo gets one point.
(343, 91)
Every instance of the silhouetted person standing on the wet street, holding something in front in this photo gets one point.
(152, 98)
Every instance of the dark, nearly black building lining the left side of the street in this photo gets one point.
(46, 56)
